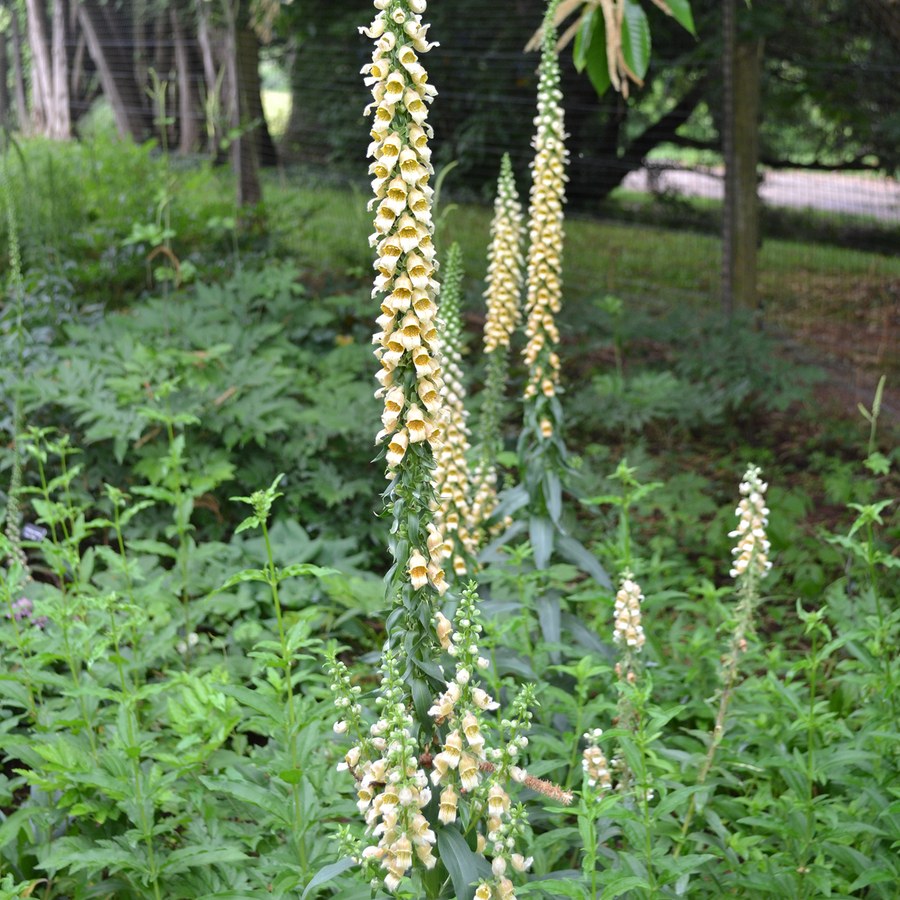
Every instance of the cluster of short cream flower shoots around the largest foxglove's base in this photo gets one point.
(474, 762)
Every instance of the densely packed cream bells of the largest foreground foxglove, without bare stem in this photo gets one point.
(403, 225)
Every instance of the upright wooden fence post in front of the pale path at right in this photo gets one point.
(747, 59)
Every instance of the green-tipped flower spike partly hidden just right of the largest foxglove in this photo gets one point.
(451, 475)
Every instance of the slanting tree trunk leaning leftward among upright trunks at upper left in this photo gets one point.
(113, 58)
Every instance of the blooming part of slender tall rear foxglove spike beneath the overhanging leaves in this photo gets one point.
(544, 269)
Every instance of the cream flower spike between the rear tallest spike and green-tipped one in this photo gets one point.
(505, 264)
